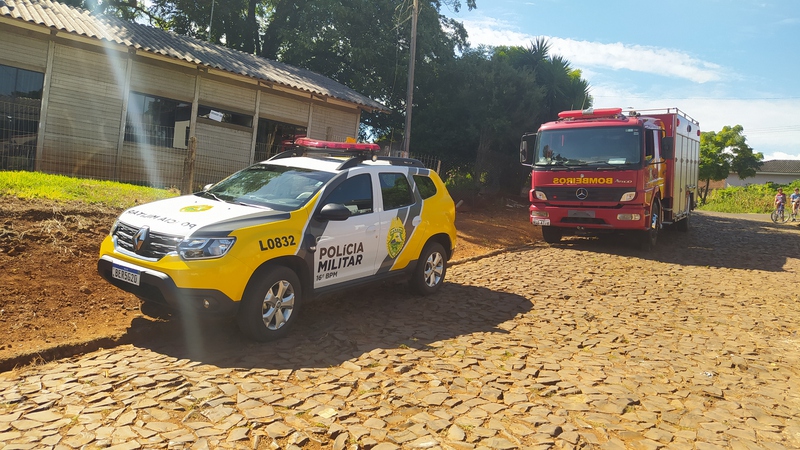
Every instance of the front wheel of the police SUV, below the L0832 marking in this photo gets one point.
(258, 317)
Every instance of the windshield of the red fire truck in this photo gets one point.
(589, 146)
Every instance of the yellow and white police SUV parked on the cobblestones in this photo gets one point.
(262, 242)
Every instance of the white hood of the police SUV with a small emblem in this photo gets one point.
(197, 216)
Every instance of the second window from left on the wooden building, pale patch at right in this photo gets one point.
(157, 121)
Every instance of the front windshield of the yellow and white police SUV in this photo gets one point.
(271, 186)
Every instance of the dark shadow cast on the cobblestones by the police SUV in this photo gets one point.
(335, 329)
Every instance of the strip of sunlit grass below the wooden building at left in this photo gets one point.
(33, 185)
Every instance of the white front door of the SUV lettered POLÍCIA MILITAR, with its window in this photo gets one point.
(346, 249)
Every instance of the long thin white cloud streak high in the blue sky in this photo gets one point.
(616, 56)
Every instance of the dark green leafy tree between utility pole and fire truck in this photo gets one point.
(474, 110)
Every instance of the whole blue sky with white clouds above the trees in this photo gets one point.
(722, 62)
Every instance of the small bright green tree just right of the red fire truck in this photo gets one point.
(724, 153)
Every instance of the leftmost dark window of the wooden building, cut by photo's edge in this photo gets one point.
(20, 106)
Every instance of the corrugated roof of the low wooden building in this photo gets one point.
(142, 37)
